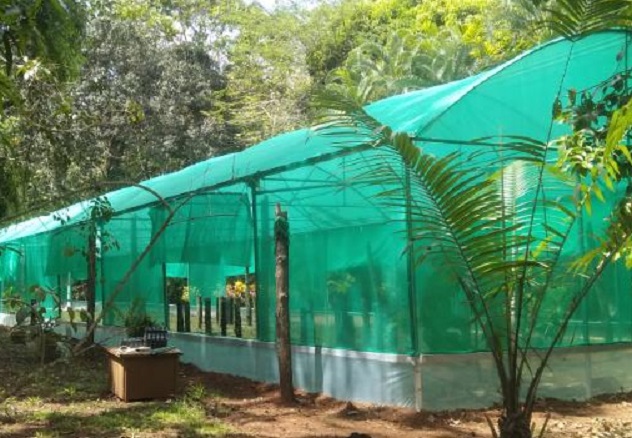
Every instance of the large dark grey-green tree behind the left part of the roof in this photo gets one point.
(147, 101)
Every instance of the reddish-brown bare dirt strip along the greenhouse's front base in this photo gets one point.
(253, 410)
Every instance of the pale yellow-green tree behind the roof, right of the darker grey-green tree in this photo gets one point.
(267, 77)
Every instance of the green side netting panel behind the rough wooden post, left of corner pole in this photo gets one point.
(347, 270)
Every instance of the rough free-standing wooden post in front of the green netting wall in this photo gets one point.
(284, 347)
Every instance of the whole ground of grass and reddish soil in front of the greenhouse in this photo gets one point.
(71, 399)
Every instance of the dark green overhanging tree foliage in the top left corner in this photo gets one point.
(34, 34)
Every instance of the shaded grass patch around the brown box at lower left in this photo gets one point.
(71, 399)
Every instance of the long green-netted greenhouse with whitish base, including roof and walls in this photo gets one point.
(366, 323)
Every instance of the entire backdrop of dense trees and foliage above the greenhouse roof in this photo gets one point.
(117, 91)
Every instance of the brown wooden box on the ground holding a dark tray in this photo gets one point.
(142, 376)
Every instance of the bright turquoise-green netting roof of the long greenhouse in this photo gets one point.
(518, 93)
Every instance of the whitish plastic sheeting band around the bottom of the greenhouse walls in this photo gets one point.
(447, 381)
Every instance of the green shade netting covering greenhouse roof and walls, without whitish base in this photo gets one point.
(351, 286)
